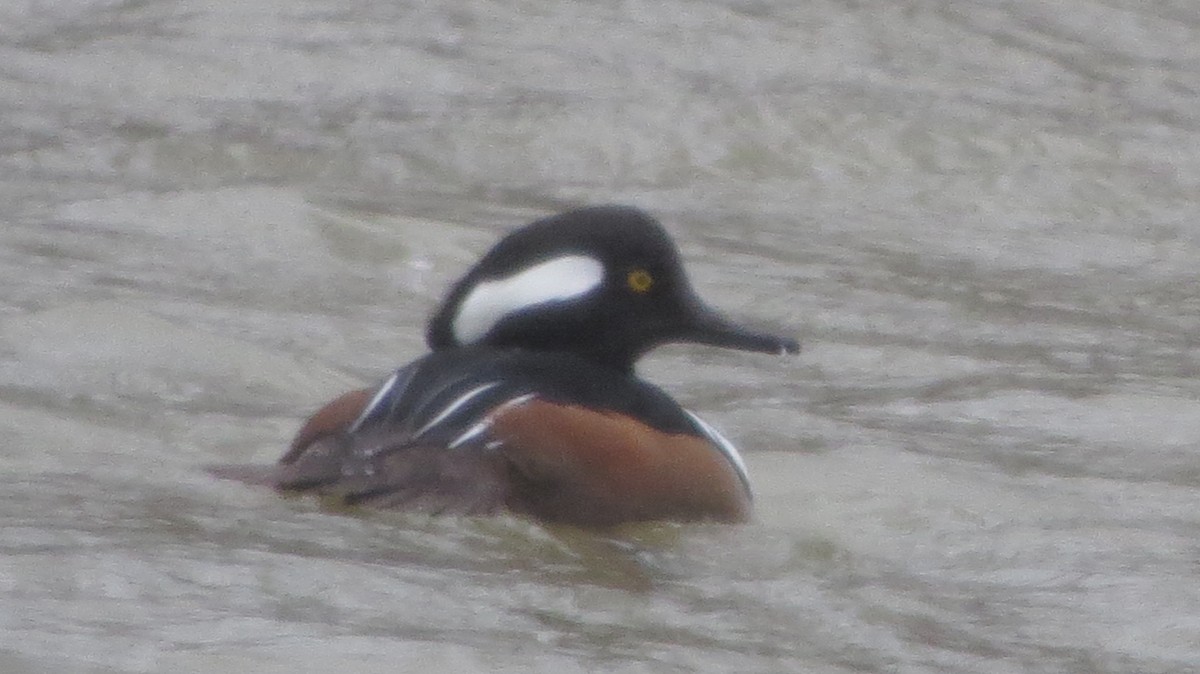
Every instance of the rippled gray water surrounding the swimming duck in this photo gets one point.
(980, 219)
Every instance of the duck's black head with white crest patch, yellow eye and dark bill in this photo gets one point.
(603, 282)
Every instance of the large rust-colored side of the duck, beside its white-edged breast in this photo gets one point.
(580, 466)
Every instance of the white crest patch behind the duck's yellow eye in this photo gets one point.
(553, 281)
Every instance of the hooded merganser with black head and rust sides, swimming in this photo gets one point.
(529, 402)
